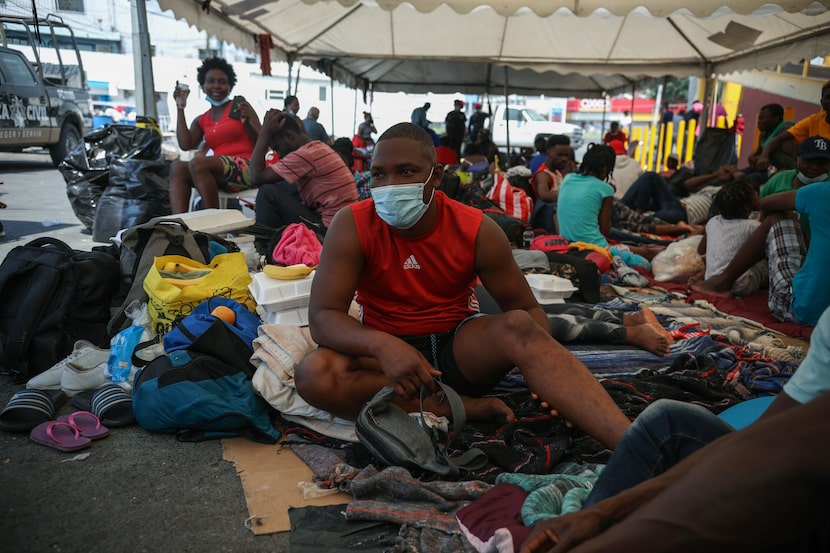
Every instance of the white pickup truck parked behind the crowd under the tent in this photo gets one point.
(525, 124)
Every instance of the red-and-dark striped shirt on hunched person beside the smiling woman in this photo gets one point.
(324, 182)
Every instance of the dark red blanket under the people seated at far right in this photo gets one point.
(752, 307)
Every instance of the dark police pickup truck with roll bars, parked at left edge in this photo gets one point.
(44, 97)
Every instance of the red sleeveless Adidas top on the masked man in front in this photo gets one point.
(418, 285)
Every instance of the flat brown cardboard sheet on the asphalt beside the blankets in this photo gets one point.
(270, 475)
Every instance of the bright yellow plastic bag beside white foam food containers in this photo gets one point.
(175, 285)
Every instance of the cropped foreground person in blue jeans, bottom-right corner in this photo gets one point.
(682, 479)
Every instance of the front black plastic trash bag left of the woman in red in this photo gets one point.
(138, 191)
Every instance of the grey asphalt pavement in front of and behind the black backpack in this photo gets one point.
(136, 491)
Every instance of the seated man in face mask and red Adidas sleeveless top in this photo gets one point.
(413, 256)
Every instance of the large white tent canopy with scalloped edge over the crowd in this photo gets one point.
(555, 47)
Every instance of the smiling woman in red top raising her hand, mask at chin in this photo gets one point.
(230, 134)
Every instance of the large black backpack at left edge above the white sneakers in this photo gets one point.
(52, 296)
